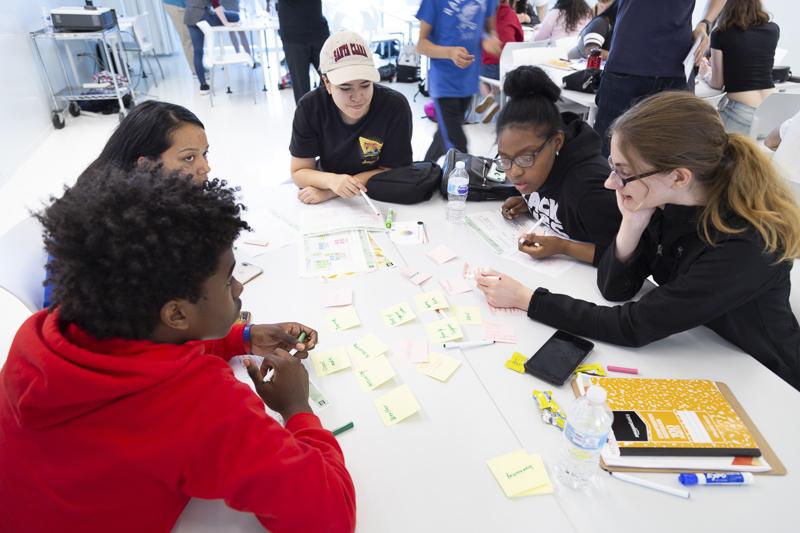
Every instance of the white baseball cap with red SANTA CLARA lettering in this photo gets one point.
(345, 57)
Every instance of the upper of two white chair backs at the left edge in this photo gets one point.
(22, 269)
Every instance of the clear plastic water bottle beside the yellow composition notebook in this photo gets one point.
(588, 423)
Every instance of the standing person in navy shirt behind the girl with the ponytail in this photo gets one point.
(650, 41)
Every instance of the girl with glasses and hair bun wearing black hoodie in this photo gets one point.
(555, 163)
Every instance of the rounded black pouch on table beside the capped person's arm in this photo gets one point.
(406, 185)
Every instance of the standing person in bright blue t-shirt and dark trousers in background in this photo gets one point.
(451, 33)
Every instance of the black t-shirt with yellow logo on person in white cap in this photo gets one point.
(381, 139)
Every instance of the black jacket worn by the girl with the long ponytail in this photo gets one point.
(734, 288)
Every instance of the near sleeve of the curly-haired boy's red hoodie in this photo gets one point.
(293, 479)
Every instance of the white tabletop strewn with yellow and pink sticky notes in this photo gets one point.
(429, 472)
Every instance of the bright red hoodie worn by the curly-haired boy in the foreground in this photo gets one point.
(117, 435)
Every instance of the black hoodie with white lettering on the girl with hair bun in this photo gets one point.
(573, 201)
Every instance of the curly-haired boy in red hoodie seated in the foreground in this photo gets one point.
(118, 405)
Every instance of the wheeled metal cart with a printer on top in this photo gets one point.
(67, 99)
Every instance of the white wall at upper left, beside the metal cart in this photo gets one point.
(24, 104)
